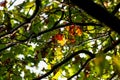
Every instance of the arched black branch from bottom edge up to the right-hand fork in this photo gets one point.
(64, 61)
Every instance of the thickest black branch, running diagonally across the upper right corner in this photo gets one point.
(99, 13)
